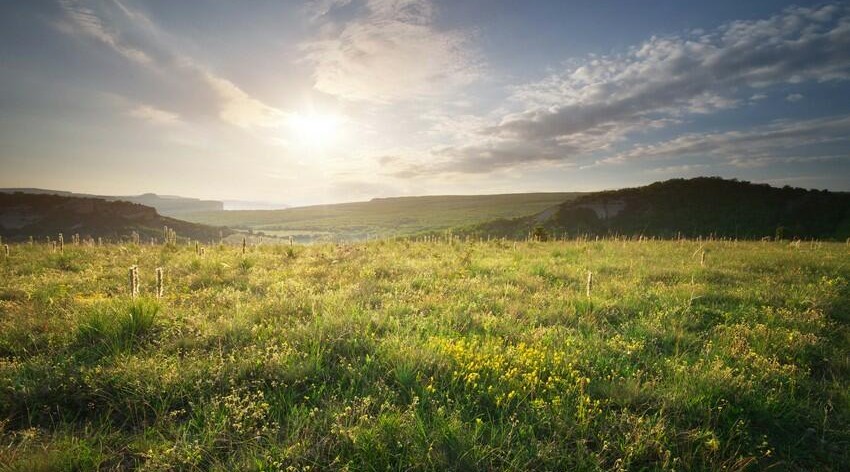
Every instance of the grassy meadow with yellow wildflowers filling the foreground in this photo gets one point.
(413, 356)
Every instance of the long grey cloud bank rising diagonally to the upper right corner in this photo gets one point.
(605, 100)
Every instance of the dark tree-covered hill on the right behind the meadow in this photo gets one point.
(696, 207)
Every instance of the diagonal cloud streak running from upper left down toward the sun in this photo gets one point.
(136, 37)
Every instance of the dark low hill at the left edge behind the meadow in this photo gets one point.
(39, 215)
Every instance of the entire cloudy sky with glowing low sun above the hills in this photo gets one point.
(344, 100)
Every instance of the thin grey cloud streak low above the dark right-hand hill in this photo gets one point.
(751, 148)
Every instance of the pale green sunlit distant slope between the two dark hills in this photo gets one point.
(384, 216)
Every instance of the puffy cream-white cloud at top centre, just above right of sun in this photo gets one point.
(392, 52)
